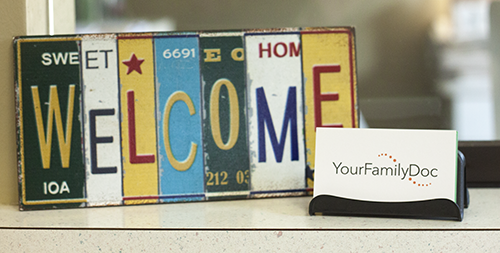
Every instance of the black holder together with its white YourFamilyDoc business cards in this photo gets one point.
(389, 172)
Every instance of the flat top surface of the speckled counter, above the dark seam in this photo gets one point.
(273, 213)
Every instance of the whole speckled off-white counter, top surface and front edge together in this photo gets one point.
(279, 224)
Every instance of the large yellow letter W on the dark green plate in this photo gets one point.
(45, 140)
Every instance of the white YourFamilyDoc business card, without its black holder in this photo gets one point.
(386, 165)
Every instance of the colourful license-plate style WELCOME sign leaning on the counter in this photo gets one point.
(114, 119)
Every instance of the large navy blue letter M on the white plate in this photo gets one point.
(264, 118)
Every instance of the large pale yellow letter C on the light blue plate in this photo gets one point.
(178, 165)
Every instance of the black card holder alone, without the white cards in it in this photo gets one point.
(431, 209)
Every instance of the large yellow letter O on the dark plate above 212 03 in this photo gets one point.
(233, 114)
